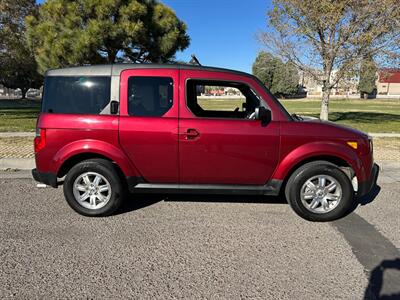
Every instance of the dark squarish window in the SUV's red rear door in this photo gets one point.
(149, 96)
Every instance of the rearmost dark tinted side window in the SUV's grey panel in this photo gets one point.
(76, 95)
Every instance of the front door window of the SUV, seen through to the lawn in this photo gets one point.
(212, 99)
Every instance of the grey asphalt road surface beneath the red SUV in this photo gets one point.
(196, 247)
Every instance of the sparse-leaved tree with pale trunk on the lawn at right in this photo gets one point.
(328, 39)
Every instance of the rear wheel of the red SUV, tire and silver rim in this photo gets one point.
(93, 188)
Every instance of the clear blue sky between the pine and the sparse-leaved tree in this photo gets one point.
(222, 32)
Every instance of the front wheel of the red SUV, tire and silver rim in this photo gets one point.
(319, 191)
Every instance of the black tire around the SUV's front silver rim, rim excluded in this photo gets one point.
(307, 171)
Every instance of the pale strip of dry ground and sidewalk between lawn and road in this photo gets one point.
(16, 149)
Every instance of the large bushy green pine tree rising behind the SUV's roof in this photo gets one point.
(102, 31)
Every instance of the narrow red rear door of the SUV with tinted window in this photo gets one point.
(149, 122)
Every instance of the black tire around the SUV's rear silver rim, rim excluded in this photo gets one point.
(108, 171)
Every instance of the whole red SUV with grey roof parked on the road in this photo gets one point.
(147, 128)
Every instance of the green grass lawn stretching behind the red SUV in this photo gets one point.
(366, 115)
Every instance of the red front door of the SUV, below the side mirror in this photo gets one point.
(220, 142)
